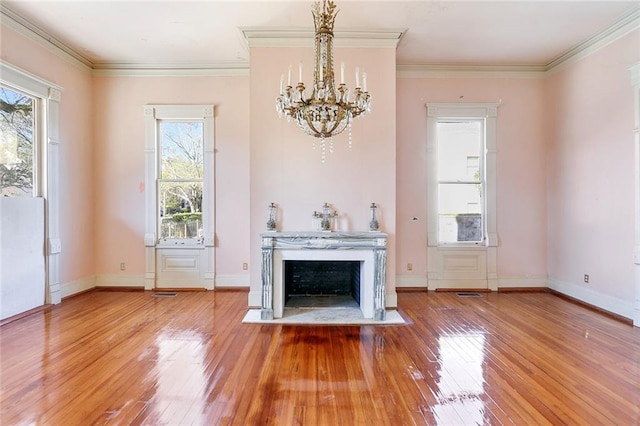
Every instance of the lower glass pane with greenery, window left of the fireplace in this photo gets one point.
(180, 209)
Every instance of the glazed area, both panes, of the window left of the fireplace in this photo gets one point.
(180, 179)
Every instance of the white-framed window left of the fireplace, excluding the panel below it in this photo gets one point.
(180, 168)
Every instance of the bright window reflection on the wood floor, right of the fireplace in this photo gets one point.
(461, 379)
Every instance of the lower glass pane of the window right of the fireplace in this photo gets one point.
(459, 213)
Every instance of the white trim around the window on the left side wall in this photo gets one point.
(46, 182)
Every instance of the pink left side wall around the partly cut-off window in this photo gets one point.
(77, 260)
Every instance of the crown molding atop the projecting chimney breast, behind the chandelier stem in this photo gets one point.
(304, 37)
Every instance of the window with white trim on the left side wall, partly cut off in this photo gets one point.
(30, 155)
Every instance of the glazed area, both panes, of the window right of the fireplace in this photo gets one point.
(460, 148)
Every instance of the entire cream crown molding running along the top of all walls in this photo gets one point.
(303, 37)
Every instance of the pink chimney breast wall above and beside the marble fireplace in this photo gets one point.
(286, 170)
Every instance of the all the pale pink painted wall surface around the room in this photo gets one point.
(565, 163)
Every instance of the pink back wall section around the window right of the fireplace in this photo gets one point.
(521, 202)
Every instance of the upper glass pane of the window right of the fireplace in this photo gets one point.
(459, 144)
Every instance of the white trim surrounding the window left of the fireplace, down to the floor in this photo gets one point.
(154, 113)
